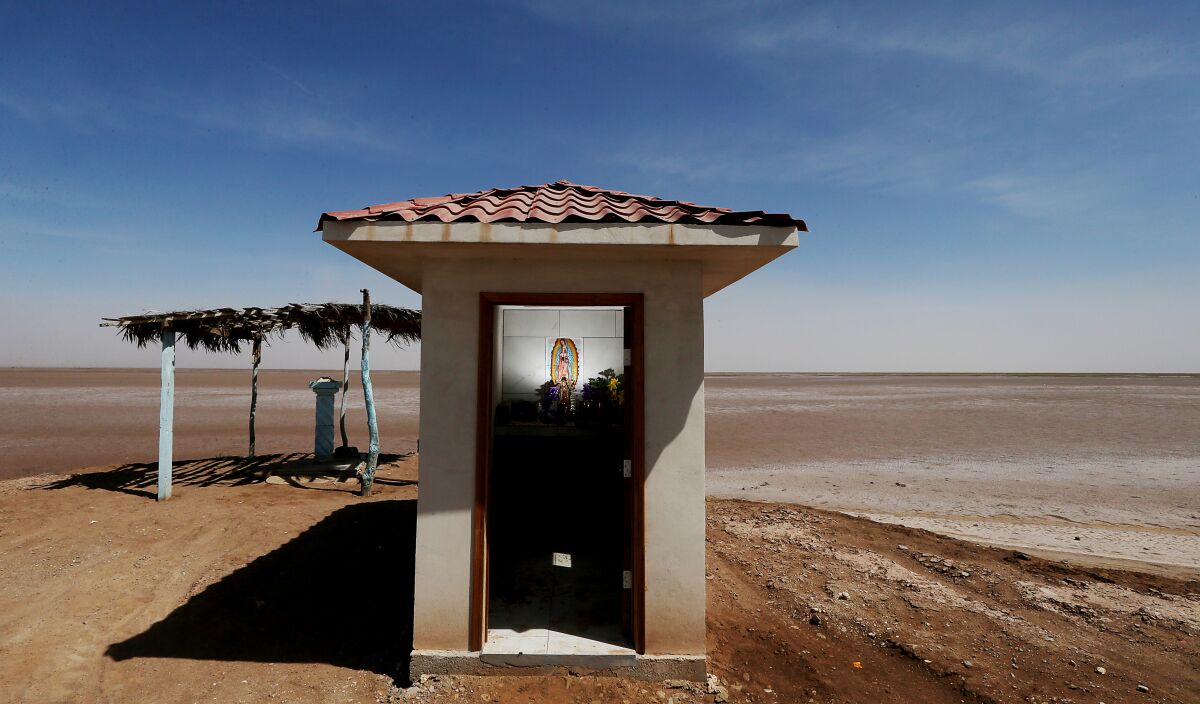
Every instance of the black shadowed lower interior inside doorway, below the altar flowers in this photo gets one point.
(557, 490)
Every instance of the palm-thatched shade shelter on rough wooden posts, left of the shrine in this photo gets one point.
(225, 330)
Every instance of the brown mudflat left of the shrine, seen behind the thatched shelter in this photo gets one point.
(62, 420)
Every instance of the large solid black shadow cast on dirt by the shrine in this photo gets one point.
(340, 593)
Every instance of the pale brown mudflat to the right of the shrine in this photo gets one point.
(1107, 467)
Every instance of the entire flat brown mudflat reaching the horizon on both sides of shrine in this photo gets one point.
(1024, 461)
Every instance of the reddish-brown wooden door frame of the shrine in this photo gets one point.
(484, 413)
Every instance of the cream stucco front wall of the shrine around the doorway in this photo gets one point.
(675, 437)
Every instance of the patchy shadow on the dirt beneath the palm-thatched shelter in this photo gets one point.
(141, 478)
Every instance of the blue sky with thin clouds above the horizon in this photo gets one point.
(989, 188)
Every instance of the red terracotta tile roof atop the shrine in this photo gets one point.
(556, 203)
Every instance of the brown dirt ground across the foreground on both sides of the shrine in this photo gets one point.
(241, 591)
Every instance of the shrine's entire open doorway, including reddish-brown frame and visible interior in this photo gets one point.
(561, 516)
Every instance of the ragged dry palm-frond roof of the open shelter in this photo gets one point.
(325, 326)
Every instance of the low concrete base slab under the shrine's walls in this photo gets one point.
(653, 669)
